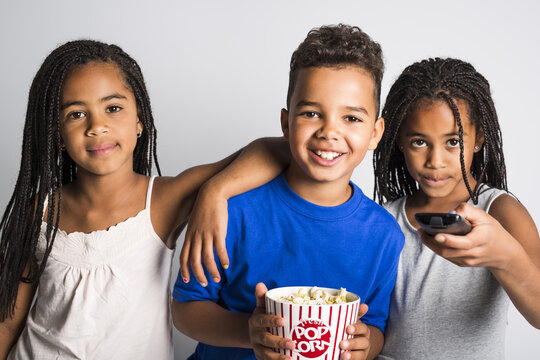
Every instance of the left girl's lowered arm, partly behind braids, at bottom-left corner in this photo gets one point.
(11, 328)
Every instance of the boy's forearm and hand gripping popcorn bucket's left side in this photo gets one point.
(207, 322)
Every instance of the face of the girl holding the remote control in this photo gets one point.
(430, 143)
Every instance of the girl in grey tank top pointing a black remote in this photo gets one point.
(441, 148)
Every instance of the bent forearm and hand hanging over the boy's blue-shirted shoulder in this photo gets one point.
(260, 162)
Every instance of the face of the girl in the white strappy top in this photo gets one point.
(98, 119)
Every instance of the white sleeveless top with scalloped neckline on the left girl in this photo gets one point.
(103, 295)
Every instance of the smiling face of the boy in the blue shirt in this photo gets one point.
(331, 123)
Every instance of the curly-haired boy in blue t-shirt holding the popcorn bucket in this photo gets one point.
(310, 225)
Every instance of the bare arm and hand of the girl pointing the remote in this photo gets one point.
(507, 243)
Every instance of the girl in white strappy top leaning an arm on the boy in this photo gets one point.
(87, 226)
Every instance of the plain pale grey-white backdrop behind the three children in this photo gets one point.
(217, 75)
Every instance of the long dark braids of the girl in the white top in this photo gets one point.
(45, 168)
